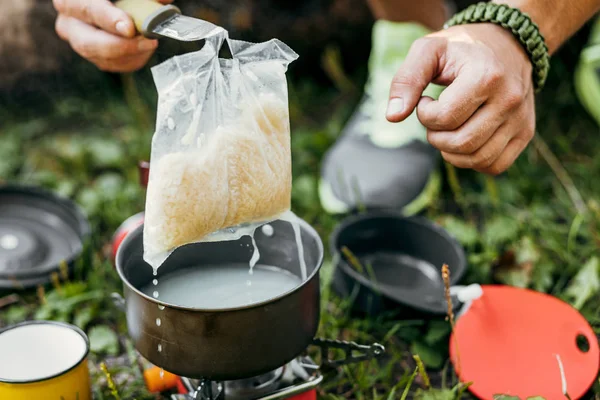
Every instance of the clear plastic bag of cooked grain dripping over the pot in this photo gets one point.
(221, 160)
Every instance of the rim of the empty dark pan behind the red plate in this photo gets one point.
(364, 281)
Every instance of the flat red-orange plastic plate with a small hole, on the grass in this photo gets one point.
(508, 342)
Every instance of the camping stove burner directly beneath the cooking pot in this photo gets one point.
(295, 381)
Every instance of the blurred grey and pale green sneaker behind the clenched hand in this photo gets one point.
(376, 163)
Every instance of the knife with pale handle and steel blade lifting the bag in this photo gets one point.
(153, 20)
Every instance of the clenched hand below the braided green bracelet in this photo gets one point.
(486, 116)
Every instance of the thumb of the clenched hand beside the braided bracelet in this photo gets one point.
(418, 69)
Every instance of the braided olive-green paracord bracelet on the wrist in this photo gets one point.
(522, 27)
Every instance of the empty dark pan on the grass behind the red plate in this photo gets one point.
(399, 263)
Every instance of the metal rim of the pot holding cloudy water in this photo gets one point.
(303, 226)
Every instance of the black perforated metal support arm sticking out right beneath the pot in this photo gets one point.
(366, 352)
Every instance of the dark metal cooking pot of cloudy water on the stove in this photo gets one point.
(224, 344)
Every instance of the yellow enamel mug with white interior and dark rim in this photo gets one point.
(44, 360)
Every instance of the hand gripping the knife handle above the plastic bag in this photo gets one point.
(103, 34)
